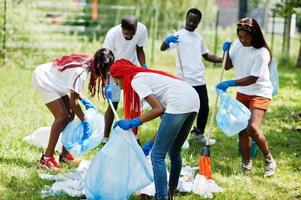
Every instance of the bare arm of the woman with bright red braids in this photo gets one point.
(156, 111)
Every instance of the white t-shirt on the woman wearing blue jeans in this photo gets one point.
(176, 96)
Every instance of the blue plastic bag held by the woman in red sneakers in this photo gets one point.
(73, 133)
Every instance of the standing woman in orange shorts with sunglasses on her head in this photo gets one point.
(250, 57)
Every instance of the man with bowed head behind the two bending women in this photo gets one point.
(126, 41)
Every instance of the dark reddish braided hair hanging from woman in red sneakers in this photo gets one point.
(102, 60)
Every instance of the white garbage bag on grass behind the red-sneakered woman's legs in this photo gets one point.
(40, 137)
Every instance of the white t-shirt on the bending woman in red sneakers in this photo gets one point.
(53, 80)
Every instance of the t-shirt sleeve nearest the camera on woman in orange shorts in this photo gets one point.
(260, 62)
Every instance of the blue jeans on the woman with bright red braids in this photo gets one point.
(171, 135)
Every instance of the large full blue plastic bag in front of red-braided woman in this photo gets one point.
(119, 169)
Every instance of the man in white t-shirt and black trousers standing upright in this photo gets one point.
(191, 49)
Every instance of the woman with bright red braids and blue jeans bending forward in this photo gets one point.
(177, 101)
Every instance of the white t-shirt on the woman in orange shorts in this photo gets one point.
(249, 61)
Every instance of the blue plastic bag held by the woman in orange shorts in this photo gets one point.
(232, 116)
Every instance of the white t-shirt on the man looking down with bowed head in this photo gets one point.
(123, 48)
